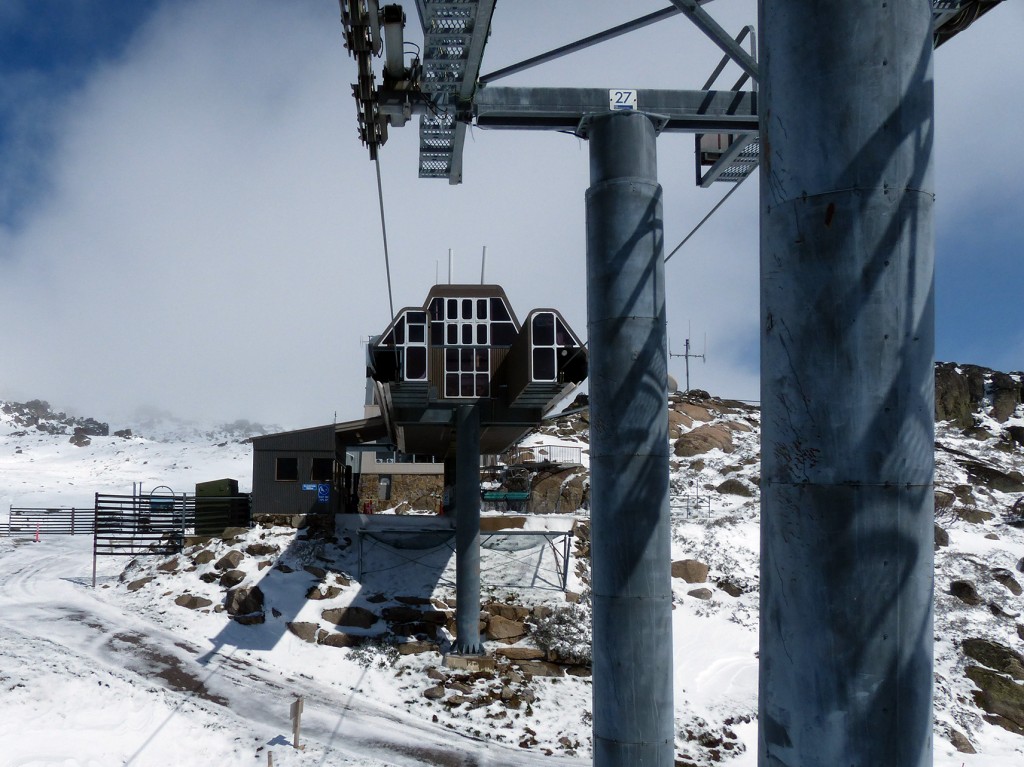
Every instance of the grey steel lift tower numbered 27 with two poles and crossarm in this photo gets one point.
(842, 131)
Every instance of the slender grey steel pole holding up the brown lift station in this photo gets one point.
(467, 530)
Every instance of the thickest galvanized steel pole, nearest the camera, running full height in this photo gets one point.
(847, 259)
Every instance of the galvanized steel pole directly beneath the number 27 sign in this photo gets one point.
(630, 536)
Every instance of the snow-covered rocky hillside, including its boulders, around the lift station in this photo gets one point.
(151, 668)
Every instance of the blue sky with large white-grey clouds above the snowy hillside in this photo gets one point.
(189, 223)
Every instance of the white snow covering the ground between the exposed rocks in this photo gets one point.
(113, 676)
